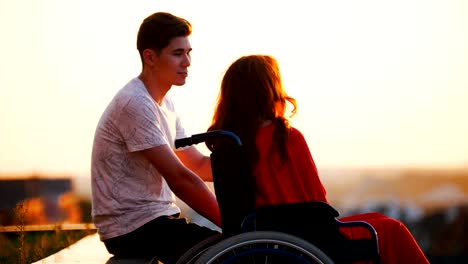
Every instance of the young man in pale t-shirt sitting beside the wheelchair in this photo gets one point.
(135, 170)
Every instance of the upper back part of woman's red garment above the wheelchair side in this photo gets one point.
(294, 181)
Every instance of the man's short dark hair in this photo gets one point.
(157, 30)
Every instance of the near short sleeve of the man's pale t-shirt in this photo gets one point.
(140, 124)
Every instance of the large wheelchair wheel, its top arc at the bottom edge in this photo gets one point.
(263, 247)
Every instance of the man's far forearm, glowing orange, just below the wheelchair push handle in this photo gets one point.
(197, 162)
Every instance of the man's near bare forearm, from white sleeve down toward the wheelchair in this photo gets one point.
(184, 183)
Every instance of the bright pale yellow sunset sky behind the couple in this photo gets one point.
(377, 83)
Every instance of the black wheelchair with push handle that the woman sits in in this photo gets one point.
(292, 233)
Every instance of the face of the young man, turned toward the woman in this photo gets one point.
(171, 66)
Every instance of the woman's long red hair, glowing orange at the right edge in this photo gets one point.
(251, 93)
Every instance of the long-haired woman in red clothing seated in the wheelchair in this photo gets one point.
(252, 104)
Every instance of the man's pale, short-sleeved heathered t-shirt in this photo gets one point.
(127, 190)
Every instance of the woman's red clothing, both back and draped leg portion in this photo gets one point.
(297, 180)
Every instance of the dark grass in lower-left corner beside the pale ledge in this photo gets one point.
(30, 246)
